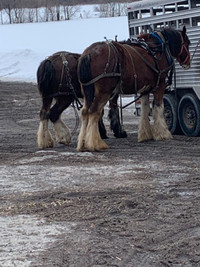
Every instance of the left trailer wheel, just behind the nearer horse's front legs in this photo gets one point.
(170, 114)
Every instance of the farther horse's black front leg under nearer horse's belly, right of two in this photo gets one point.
(113, 115)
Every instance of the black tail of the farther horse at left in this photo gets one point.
(45, 76)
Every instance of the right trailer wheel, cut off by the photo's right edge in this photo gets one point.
(189, 115)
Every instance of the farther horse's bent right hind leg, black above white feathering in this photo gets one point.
(62, 132)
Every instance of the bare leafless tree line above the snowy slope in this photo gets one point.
(24, 11)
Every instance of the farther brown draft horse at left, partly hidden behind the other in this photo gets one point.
(57, 79)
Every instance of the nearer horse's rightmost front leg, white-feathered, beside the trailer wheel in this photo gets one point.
(160, 129)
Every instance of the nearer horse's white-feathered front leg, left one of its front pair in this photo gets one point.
(145, 131)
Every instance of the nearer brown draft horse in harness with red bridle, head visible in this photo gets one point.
(108, 68)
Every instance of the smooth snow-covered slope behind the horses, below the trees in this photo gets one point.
(24, 46)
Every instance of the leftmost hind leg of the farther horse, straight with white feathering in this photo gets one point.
(44, 138)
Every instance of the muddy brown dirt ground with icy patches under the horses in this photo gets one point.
(134, 205)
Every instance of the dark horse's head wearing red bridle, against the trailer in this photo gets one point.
(179, 46)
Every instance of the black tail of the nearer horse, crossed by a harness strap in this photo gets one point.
(84, 72)
